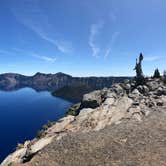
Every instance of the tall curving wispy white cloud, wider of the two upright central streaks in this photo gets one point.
(94, 31)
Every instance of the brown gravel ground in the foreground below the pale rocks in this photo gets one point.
(129, 143)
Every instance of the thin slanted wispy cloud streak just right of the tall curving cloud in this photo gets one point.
(113, 40)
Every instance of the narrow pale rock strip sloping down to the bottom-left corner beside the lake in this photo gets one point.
(30, 148)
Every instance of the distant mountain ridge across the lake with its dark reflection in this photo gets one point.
(52, 82)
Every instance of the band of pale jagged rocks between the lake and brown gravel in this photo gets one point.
(98, 110)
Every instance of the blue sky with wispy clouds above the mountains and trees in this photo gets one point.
(82, 38)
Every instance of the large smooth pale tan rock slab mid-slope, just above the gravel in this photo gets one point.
(110, 112)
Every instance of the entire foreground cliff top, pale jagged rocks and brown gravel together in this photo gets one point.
(112, 126)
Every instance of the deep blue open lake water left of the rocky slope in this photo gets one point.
(22, 114)
